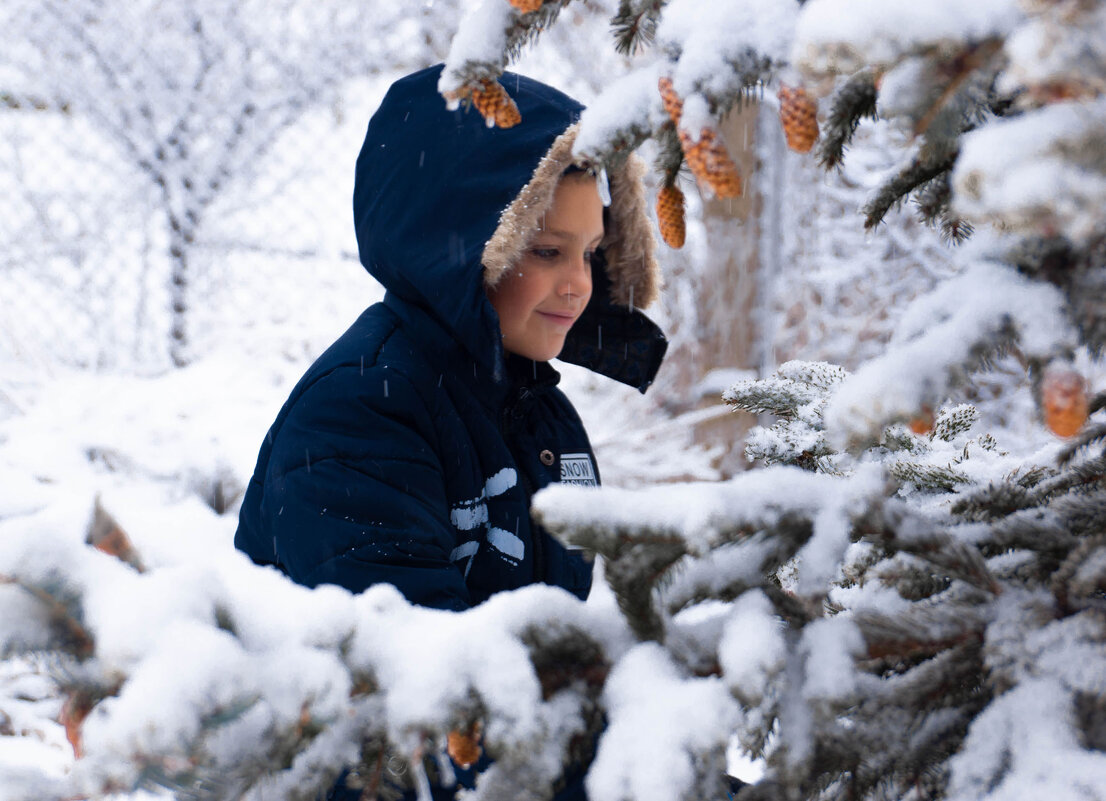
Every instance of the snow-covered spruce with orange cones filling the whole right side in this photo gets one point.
(936, 633)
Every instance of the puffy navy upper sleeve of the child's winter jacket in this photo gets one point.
(354, 493)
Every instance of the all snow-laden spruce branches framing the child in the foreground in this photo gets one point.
(879, 613)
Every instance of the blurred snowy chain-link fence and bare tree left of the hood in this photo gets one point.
(174, 173)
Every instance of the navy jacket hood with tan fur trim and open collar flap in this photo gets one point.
(444, 205)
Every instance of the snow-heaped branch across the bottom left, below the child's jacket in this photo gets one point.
(183, 679)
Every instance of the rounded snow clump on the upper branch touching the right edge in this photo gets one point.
(1027, 174)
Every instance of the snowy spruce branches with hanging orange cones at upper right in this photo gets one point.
(1015, 78)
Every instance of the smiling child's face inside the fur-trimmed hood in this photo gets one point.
(542, 296)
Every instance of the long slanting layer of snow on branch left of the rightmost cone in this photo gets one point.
(938, 334)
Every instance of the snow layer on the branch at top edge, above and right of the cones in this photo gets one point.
(841, 37)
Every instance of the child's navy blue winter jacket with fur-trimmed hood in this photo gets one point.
(410, 452)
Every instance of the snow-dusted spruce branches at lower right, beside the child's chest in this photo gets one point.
(922, 620)
